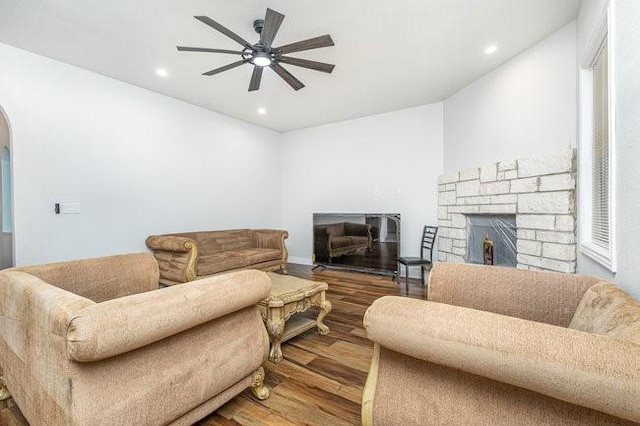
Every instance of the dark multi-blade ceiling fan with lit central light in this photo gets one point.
(262, 54)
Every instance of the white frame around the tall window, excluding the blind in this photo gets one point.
(603, 33)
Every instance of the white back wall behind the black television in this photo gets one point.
(387, 163)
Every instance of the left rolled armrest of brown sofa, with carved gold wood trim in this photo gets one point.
(176, 256)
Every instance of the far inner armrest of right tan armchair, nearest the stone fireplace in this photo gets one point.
(549, 297)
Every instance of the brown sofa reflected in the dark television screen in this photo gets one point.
(339, 239)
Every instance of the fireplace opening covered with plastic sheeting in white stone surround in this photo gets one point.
(491, 240)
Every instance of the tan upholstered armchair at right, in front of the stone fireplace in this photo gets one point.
(501, 346)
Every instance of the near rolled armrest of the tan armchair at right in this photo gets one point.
(586, 369)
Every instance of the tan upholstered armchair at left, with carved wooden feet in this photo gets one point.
(95, 342)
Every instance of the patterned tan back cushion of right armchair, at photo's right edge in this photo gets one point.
(607, 309)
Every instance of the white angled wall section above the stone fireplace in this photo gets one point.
(524, 108)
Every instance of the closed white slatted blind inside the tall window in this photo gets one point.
(600, 232)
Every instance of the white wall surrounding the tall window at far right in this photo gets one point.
(626, 64)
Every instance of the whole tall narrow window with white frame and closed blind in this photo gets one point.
(597, 233)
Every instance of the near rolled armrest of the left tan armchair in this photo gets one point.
(122, 325)
